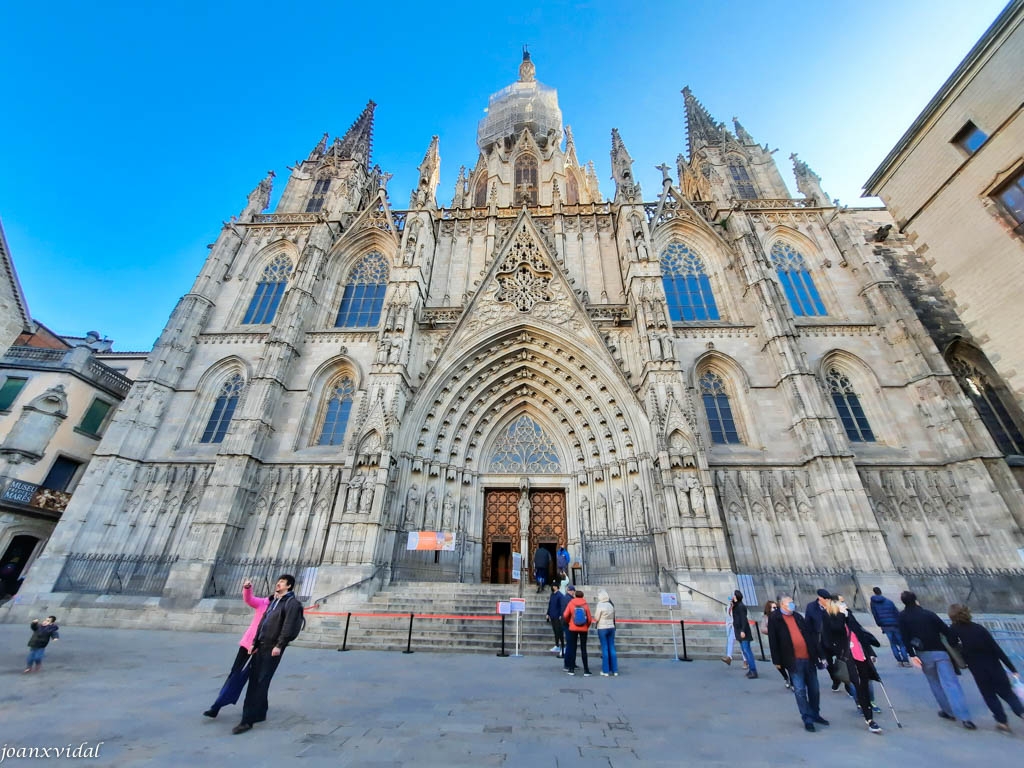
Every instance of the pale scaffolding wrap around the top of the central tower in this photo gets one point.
(523, 105)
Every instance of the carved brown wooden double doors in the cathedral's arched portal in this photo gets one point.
(502, 531)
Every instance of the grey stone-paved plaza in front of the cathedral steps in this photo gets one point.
(142, 695)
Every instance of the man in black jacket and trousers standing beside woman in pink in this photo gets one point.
(280, 626)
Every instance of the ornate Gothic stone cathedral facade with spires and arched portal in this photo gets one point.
(712, 381)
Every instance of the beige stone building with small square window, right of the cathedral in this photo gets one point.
(955, 185)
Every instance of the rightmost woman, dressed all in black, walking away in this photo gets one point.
(983, 656)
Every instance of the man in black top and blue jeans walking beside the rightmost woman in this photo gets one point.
(924, 632)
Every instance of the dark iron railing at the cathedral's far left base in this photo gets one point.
(115, 575)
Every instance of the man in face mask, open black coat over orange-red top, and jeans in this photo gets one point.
(797, 650)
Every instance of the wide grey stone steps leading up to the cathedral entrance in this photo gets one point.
(390, 629)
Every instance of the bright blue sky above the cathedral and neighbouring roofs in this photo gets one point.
(133, 131)
